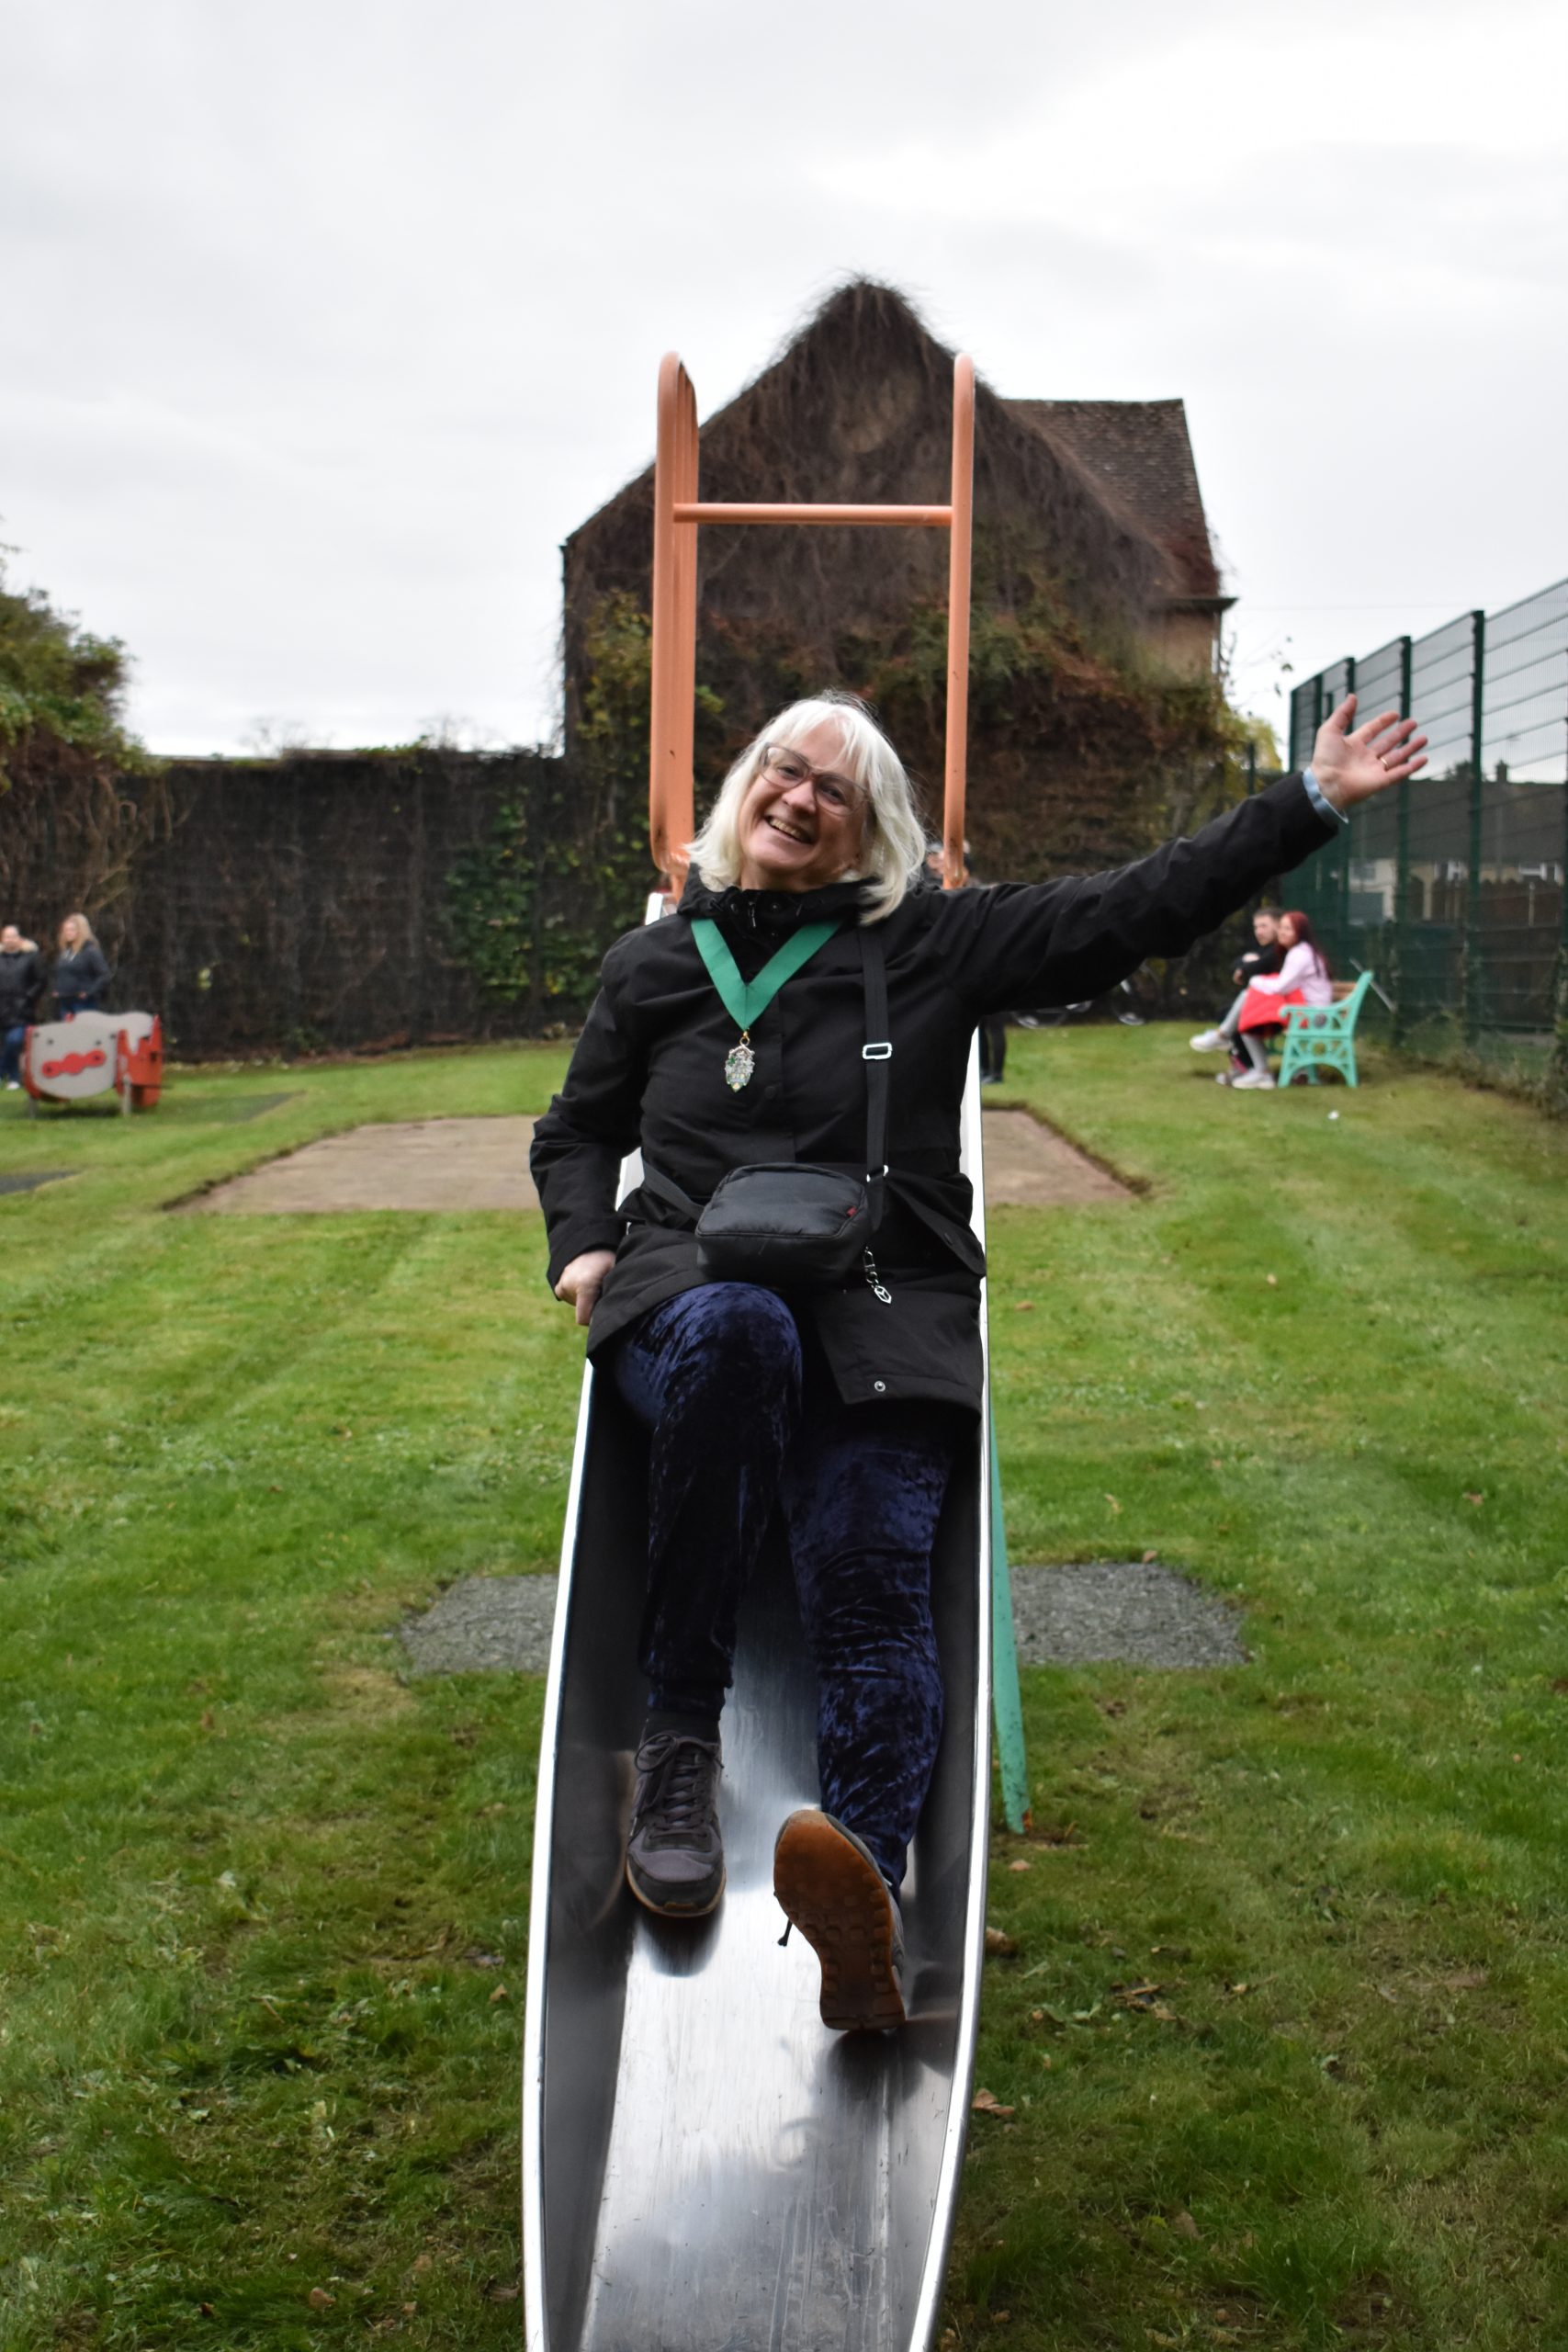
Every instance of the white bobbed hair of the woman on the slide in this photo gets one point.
(894, 841)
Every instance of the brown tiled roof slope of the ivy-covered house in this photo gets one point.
(1139, 457)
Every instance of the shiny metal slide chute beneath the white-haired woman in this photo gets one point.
(704, 2165)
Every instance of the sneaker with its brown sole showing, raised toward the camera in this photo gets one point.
(833, 1892)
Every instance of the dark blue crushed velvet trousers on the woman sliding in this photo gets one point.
(746, 1422)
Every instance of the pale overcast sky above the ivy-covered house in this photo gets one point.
(328, 321)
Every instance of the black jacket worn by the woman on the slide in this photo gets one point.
(650, 1074)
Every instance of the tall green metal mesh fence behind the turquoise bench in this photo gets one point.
(1452, 886)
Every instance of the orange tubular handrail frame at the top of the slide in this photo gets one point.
(678, 514)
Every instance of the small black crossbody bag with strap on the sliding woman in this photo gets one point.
(796, 1222)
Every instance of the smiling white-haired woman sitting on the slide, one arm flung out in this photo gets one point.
(735, 1036)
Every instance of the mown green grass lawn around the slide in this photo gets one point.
(1285, 2019)
